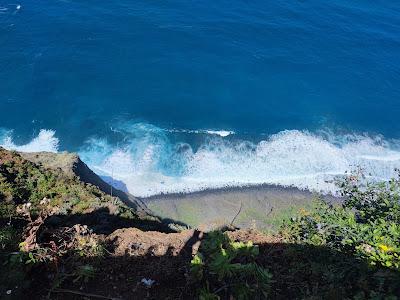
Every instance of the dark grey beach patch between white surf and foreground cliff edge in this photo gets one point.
(258, 206)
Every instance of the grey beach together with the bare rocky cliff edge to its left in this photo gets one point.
(247, 206)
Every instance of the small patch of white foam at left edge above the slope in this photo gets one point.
(44, 141)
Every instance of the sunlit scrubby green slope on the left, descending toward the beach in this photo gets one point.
(23, 182)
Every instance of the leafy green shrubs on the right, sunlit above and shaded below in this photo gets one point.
(343, 251)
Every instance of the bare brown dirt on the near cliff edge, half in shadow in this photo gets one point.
(162, 257)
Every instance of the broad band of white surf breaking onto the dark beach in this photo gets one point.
(149, 163)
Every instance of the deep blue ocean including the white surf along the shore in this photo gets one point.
(168, 96)
